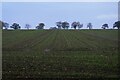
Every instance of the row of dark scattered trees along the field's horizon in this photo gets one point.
(60, 25)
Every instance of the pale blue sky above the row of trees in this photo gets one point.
(33, 13)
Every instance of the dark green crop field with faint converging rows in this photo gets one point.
(60, 54)
